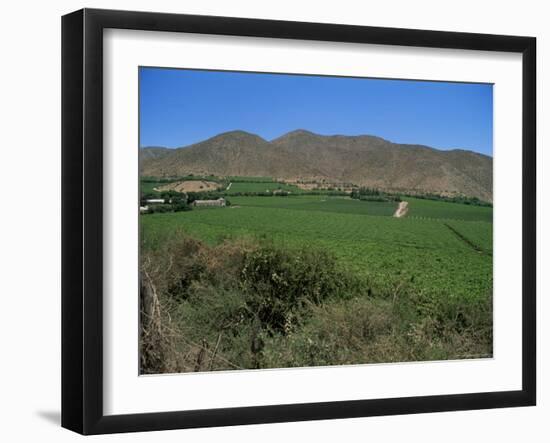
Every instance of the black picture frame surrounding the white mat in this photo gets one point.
(82, 231)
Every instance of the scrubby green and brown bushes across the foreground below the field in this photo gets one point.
(247, 304)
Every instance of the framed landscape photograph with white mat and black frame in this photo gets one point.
(268, 221)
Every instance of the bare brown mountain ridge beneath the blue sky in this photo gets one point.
(363, 160)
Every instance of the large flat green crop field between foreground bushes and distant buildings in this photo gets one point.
(445, 253)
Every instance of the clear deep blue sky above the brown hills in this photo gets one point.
(180, 107)
